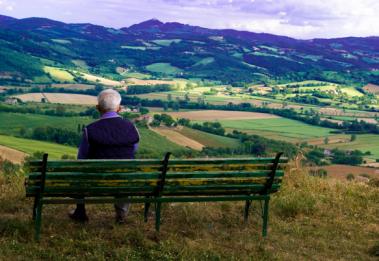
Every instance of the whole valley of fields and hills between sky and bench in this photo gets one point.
(221, 90)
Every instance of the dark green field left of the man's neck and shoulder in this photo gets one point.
(11, 123)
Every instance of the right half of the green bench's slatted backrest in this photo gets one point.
(223, 176)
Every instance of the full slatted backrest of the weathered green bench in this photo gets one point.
(155, 177)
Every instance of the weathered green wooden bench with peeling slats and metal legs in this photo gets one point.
(153, 181)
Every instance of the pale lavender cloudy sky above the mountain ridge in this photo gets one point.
(303, 19)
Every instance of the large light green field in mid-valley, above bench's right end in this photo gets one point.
(282, 126)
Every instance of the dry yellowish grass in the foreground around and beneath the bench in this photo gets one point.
(310, 219)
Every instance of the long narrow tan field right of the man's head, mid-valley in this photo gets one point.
(214, 115)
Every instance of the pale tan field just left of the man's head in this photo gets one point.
(64, 98)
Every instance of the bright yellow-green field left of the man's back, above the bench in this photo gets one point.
(55, 151)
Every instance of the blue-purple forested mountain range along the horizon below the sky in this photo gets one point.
(180, 50)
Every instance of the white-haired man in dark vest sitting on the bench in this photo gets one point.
(111, 137)
